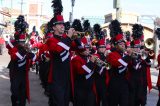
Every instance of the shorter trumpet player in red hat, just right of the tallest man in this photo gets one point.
(83, 69)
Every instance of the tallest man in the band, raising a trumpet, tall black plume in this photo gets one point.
(59, 45)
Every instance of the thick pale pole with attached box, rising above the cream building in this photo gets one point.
(117, 6)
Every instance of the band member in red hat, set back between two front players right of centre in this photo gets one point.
(102, 76)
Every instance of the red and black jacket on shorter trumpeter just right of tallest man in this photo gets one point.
(82, 68)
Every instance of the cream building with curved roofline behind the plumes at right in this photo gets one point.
(127, 20)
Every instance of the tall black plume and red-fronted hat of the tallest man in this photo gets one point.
(57, 9)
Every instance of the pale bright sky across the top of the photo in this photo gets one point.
(94, 7)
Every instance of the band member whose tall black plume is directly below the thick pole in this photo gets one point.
(119, 61)
